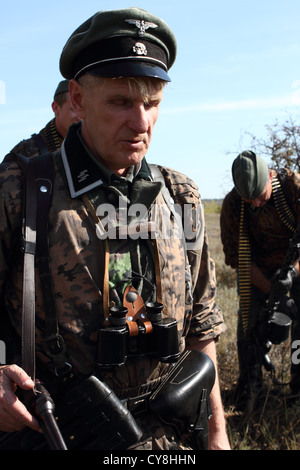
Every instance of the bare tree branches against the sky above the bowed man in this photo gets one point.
(281, 146)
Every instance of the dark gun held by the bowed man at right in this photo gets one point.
(274, 325)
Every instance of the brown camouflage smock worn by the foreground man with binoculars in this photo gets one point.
(77, 259)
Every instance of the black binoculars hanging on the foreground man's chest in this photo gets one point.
(115, 343)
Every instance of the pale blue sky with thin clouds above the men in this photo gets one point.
(237, 70)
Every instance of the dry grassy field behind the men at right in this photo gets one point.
(275, 424)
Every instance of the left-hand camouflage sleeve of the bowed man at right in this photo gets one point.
(229, 222)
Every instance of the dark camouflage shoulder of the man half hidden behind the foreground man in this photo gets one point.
(51, 141)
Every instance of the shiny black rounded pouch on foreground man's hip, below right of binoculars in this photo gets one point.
(183, 401)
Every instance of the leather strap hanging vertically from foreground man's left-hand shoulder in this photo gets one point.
(38, 193)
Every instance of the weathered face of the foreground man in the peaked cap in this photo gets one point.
(117, 120)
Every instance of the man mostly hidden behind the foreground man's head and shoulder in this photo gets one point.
(50, 138)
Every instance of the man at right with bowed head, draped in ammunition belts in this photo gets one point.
(258, 218)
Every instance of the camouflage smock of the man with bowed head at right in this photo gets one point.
(268, 234)
